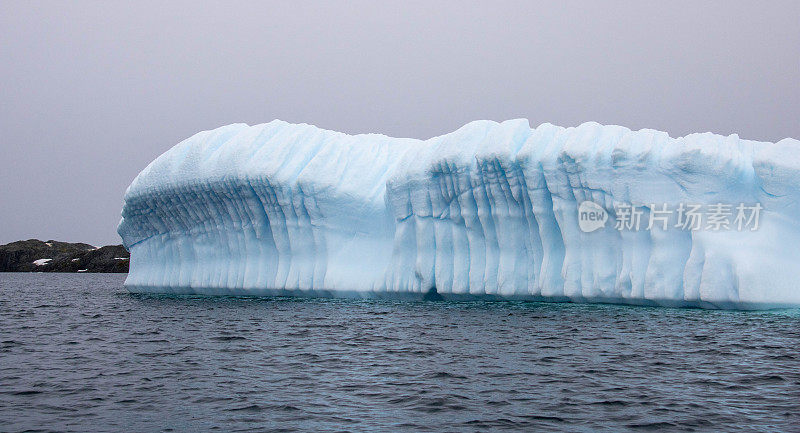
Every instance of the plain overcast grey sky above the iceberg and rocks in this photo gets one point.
(91, 93)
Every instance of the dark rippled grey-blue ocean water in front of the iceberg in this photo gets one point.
(79, 353)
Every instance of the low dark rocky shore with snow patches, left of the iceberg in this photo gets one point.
(34, 255)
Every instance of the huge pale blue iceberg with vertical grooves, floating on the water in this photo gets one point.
(490, 210)
